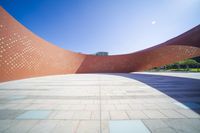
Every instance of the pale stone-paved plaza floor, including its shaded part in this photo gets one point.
(90, 103)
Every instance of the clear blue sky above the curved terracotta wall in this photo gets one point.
(115, 26)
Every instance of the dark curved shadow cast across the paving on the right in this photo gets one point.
(184, 90)
